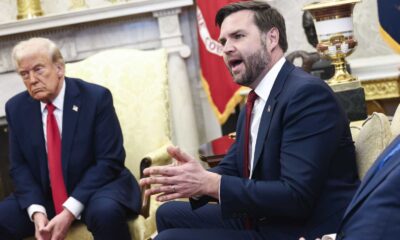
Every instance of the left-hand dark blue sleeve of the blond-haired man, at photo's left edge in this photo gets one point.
(27, 187)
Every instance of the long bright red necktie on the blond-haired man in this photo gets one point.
(54, 160)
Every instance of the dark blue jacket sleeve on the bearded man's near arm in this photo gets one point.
(312, 128)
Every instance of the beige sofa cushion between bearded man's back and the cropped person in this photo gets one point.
(374, 136)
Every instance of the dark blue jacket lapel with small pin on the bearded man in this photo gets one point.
(269, 109)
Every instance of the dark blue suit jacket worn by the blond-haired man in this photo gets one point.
(92, 148)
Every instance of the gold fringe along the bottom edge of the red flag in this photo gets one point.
(230, 106)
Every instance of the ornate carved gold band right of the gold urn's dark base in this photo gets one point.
(381, 88)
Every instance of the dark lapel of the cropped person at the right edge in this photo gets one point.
(372, 178)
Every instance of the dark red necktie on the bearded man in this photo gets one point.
(251, 98)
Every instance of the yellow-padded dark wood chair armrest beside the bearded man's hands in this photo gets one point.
(155, 158)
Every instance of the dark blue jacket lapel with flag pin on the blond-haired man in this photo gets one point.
(72, 102)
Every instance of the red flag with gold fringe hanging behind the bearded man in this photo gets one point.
(222, 91)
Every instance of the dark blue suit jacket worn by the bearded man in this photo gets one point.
(304, 171)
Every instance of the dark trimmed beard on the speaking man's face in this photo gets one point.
(254, 64)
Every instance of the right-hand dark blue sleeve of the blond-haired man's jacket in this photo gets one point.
(108, 149)
